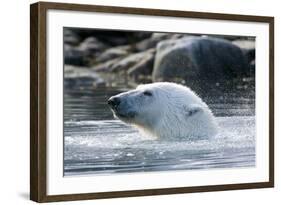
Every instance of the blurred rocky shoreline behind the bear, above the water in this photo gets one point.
(142, 57)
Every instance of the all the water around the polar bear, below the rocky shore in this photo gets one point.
(96, 143)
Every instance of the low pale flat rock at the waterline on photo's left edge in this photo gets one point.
(81, 77)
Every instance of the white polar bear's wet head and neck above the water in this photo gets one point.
(165, 110)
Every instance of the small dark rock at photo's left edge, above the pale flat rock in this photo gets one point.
(73, 56)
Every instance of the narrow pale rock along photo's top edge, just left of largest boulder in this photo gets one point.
(154, 40)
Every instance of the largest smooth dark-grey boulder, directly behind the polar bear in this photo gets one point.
(198, 60)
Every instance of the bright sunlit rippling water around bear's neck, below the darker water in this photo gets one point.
(109, 146)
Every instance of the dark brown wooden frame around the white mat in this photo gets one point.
(38, 101)
